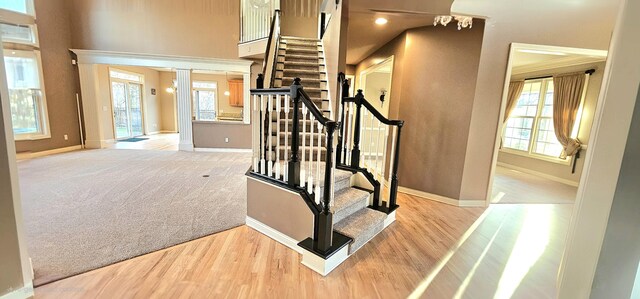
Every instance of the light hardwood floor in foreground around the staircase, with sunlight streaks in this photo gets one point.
(430, 251)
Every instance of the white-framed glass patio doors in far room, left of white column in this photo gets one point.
(126, 100)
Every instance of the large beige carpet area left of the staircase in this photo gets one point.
(87, 209)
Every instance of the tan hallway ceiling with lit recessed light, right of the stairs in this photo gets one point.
(365, 37)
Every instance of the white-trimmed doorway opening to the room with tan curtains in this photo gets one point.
(538, 162)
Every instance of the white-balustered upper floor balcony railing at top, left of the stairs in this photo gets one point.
(255, 19)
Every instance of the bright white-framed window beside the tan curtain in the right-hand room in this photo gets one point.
(529, 130)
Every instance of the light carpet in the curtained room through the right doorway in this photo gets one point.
(512, 186)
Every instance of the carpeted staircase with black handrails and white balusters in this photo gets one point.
(299, 148)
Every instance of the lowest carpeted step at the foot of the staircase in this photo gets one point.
(361, 226)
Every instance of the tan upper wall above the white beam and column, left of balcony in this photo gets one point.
(201, 28)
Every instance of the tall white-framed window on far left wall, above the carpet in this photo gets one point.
(26, 94)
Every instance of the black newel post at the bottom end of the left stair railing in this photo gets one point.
(325, 222)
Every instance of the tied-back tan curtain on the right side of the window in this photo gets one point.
(567, 94)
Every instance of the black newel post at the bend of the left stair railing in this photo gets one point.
(294, 161)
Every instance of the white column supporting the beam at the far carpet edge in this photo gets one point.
(185, 127)
